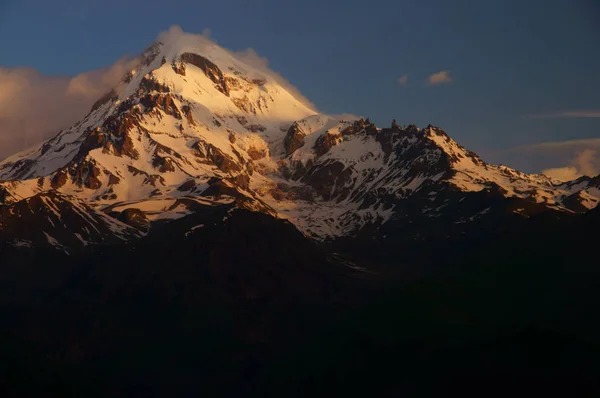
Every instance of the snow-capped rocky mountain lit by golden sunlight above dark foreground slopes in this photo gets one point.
(194, 125)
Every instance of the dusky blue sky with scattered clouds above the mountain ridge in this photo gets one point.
(516, 81)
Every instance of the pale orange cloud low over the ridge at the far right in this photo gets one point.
(565, 160)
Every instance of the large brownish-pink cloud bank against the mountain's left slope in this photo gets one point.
(35, 107)
